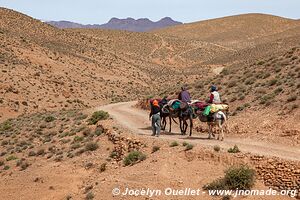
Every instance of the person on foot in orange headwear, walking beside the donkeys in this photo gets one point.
(155, 115)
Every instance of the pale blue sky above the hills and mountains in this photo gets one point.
(99, 11)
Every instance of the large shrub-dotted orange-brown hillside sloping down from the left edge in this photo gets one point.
(43, 67)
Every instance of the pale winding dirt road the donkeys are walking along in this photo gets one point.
(137, 122)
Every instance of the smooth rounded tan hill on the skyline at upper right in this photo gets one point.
(227, 30)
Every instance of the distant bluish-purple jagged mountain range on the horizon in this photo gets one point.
(129, 24)
